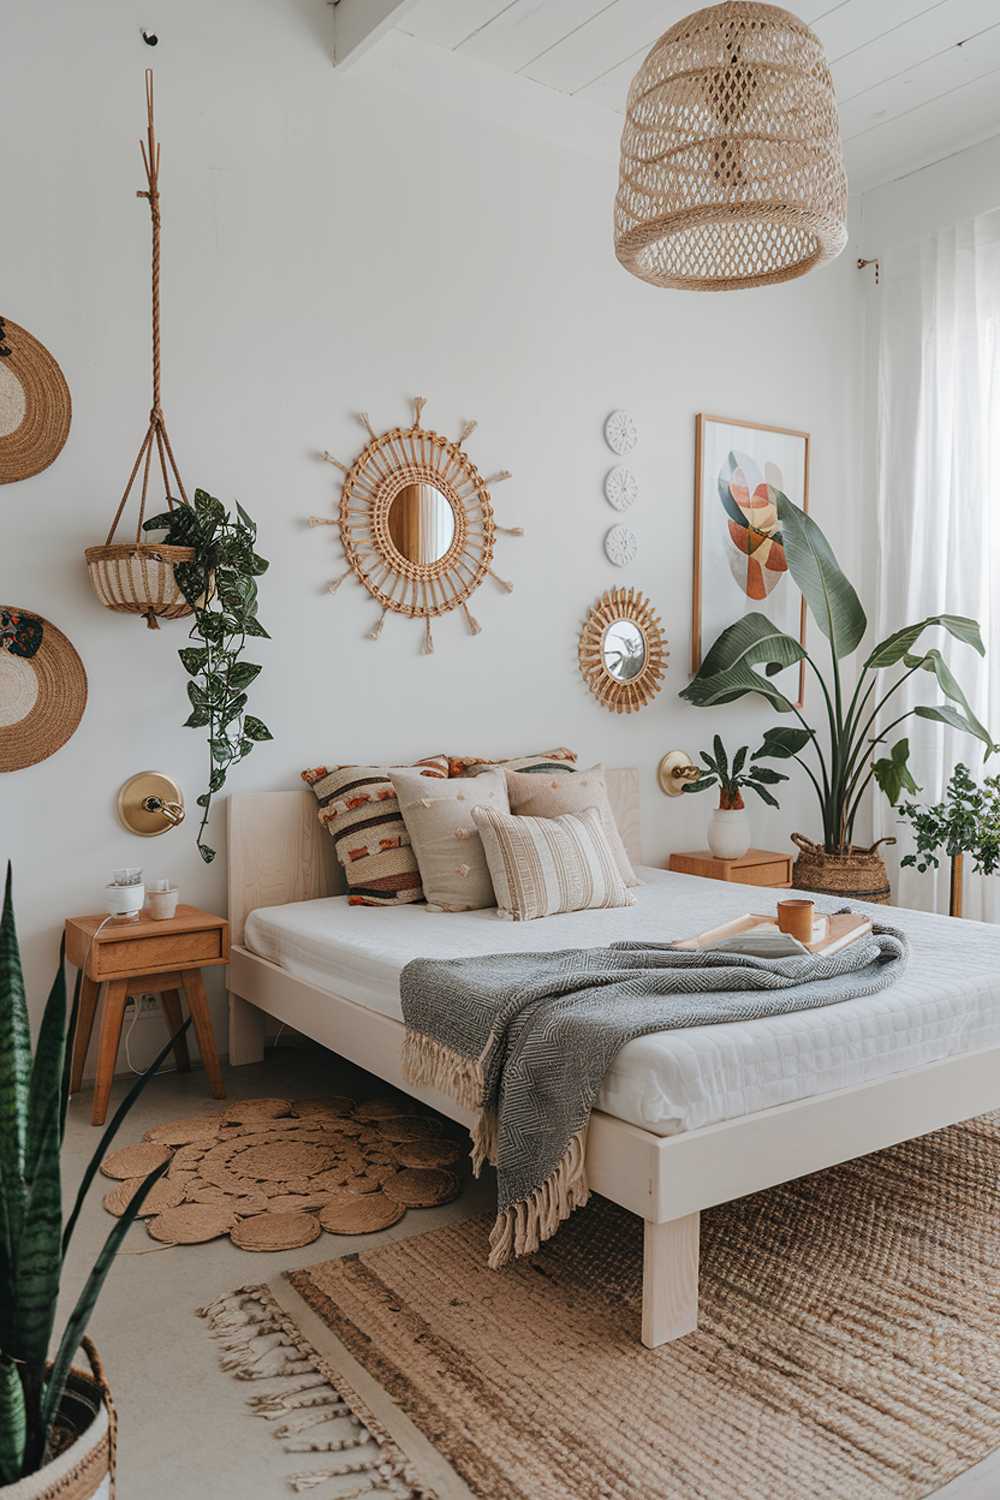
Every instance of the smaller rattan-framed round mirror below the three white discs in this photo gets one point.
(623, 652)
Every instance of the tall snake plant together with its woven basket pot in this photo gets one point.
(56, 1430)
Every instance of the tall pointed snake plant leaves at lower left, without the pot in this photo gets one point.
(34, 1243)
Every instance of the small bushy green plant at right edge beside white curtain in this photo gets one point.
(968, 821)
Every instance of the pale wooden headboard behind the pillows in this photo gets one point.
(280, 853)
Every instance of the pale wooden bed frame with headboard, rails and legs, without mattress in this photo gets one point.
(280, 854)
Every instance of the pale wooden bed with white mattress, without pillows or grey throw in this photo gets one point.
(686, 1120)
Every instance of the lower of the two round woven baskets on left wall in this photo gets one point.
(43, 689)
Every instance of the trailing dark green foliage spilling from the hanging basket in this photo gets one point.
(220, 586)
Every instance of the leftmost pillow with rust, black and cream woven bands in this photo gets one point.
(361, 812)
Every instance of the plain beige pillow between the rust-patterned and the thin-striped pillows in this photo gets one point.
(445, 839)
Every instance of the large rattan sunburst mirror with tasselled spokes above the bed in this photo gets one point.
(418, 524)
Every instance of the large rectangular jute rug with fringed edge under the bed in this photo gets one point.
(849, 1348)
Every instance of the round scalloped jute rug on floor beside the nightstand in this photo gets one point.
(275, 1174)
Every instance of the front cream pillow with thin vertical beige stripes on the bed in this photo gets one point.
(542, 866)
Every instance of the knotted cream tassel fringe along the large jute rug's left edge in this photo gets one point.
(260, 1343)
